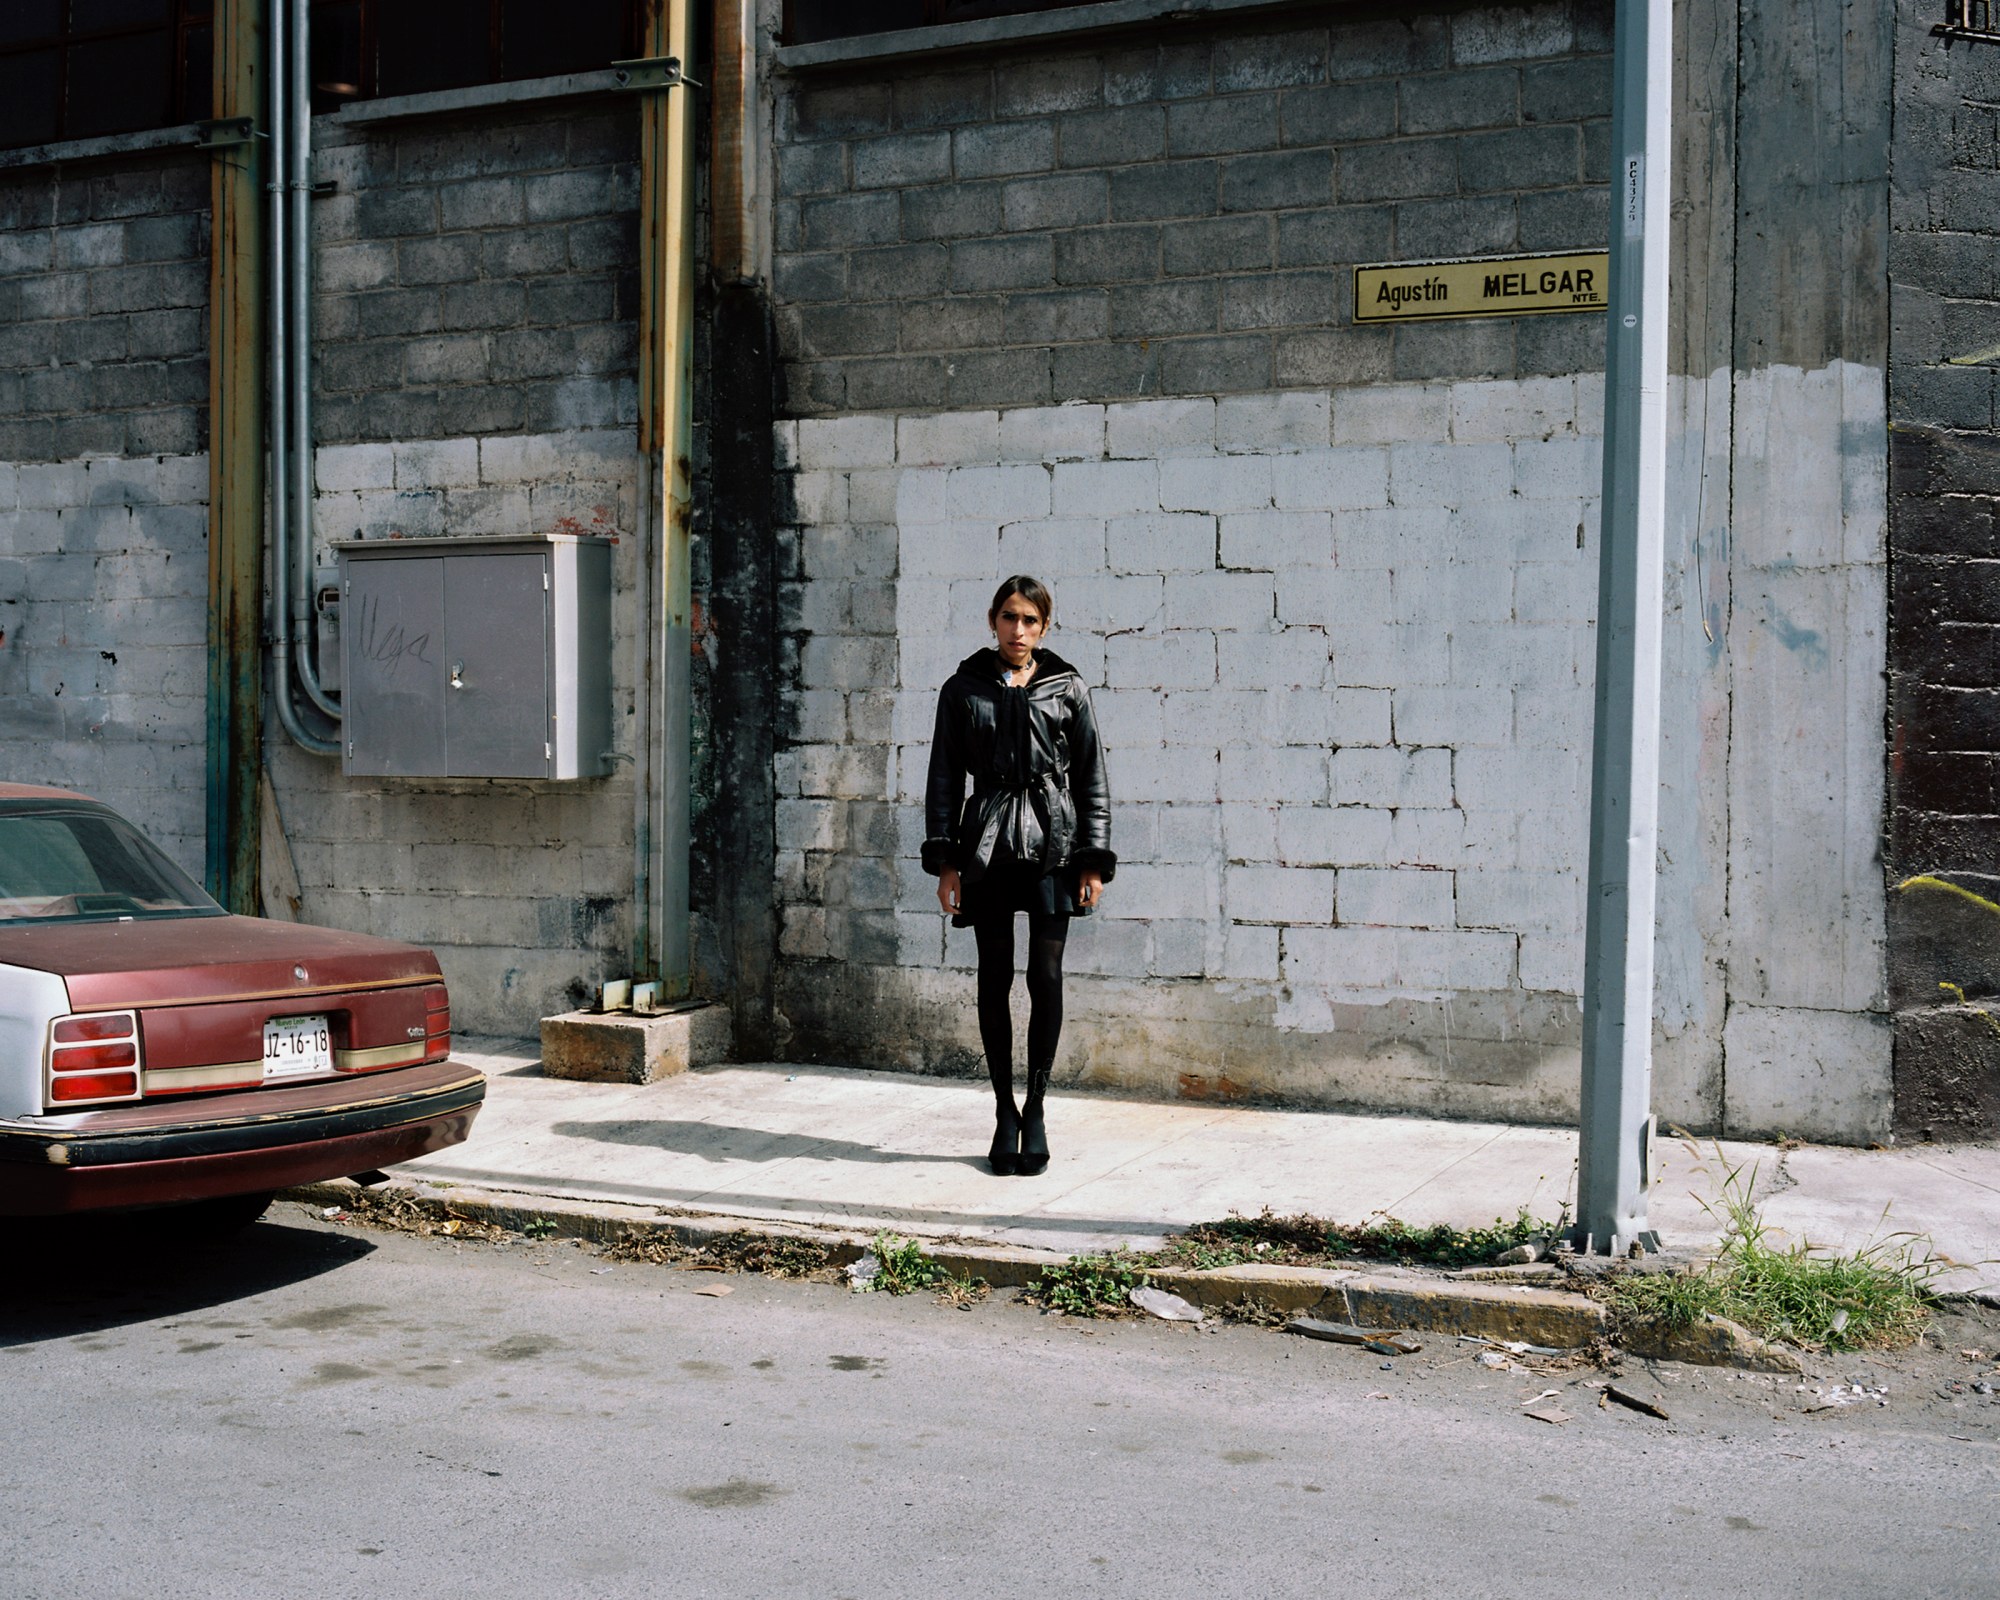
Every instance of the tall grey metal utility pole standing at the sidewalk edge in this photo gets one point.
(1625, 757)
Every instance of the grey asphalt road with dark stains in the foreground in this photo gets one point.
(319, 1411)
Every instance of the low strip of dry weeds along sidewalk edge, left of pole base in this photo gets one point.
(1313, 1241)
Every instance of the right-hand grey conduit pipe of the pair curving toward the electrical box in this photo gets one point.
(299, 319)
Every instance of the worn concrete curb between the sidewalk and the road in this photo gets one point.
(1381, 1299)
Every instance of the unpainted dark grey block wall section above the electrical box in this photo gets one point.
(477, 275)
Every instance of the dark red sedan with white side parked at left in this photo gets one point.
(157, 1049)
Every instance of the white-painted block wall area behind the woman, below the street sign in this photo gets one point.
(1307, 623)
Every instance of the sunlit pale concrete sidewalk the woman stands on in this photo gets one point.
(863, 1151)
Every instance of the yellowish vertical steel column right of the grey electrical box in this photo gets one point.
(667, 437)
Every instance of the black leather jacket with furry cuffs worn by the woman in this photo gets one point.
(1037, 773)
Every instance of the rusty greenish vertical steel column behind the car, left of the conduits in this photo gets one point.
(235, 471)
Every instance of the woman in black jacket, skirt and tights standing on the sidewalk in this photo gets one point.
(1035, 837)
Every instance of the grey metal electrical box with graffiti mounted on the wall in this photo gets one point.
(477, 657)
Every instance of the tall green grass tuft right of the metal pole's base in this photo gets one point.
(1877, 1297)
